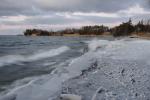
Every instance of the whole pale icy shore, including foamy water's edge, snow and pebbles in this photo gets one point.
(120, 69)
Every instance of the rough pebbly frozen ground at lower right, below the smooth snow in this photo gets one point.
(117, 80)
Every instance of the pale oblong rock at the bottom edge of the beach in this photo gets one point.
(70, 97)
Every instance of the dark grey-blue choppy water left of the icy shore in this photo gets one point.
(22, 57)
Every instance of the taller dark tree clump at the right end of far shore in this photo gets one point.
(128, 28)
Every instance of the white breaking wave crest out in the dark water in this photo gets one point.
(12, 59)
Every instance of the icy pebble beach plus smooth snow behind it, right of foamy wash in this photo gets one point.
(115, 77)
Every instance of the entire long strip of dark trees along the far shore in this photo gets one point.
(124, 29)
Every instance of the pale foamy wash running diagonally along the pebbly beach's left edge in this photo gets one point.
(46, 87)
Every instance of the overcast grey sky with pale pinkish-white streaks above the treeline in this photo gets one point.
(18, 15)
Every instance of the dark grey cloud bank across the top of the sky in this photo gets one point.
(33, 7)
